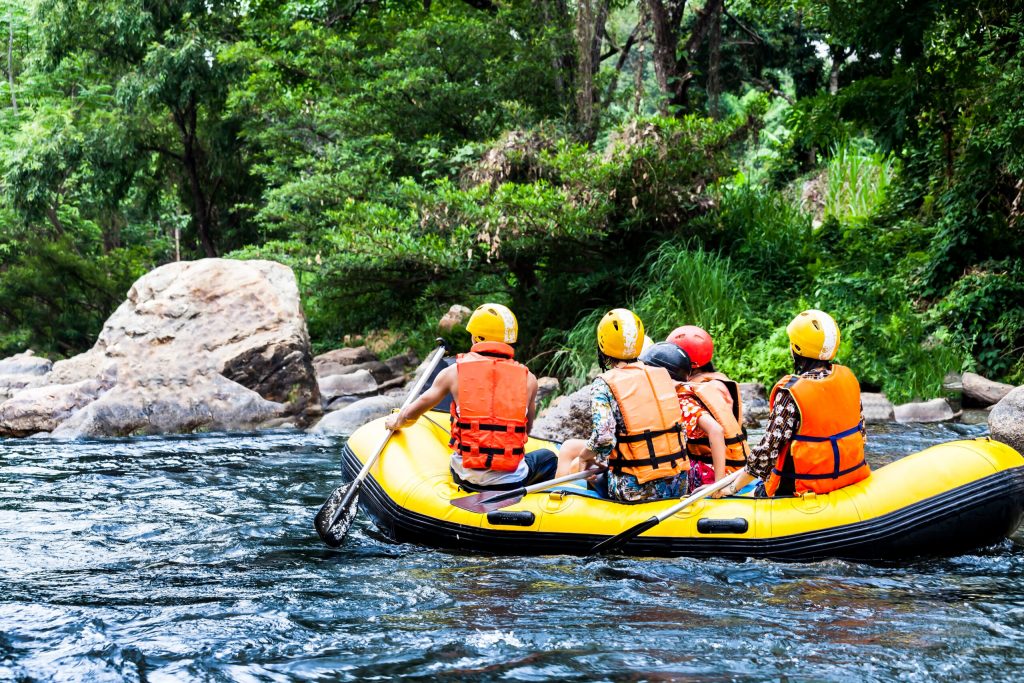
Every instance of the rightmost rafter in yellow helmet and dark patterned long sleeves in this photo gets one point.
(815, 441)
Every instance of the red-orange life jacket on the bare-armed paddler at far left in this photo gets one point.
(489, 425)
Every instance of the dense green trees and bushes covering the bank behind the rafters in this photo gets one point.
(722, 164)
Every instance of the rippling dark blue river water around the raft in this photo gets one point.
(194, 560)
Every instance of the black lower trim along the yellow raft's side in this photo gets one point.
(970, 518)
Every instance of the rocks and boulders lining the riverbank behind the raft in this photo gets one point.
(223, 345)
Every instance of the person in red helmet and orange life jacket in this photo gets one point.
(717, 395)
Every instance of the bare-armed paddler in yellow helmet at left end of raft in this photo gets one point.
(493, 409)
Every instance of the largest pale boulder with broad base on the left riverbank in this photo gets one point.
(204, 345)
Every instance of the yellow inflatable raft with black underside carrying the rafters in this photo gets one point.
(948, 500)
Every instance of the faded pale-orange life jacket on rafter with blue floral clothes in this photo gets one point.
(652, 448)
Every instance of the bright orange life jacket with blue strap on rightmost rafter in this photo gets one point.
(828, 452)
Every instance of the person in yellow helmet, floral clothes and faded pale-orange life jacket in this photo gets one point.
(636, 420)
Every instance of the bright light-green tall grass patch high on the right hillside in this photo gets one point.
(859, 181)
